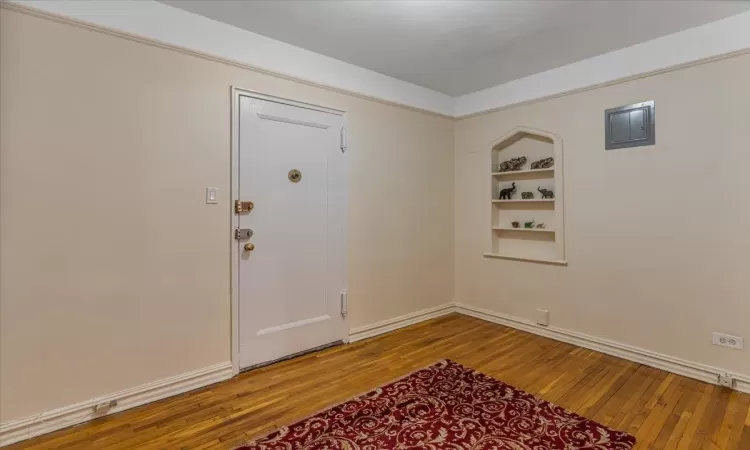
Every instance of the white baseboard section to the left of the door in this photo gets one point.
(28, 427)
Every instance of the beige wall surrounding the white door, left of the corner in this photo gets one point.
(115, 272)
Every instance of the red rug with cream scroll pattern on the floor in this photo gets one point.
(445, 406)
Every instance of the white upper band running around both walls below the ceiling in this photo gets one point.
(161, 24)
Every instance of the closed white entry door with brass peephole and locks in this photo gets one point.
(291, 281)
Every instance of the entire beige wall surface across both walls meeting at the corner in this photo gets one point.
(114, 272)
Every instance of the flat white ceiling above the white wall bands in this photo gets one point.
(458, 47)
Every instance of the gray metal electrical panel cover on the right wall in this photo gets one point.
(630, 126)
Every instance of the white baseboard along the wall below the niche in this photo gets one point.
(677, 366)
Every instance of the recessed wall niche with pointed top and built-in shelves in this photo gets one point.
(541, 245)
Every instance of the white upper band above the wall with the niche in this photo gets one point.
(687, 47)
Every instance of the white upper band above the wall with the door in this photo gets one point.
(178, 28)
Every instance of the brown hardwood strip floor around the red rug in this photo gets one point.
(663, 411)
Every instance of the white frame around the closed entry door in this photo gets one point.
(236, 93)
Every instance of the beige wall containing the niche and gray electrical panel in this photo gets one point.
(657, 237)
